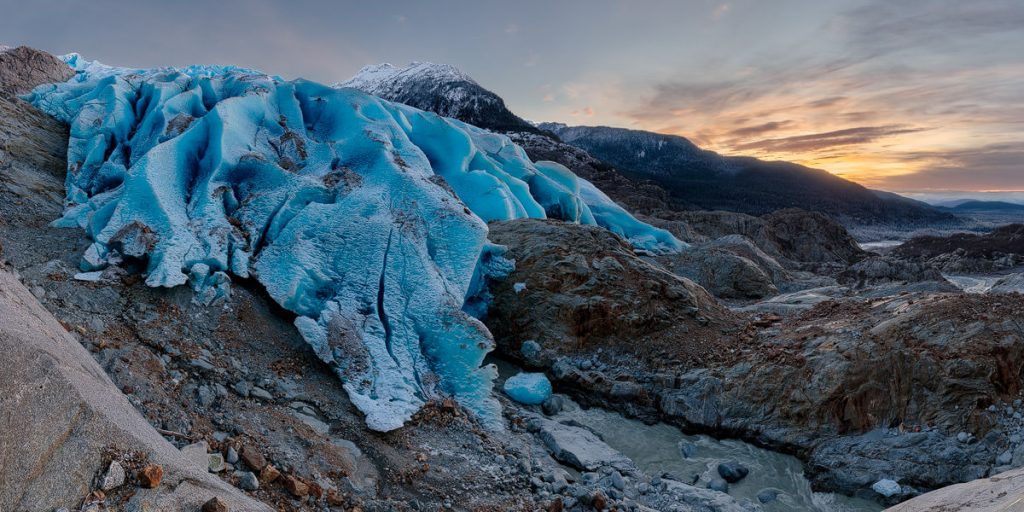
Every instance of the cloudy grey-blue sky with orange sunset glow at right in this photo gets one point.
(919, 97)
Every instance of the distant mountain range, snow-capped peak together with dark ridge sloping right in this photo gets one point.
(687, 177)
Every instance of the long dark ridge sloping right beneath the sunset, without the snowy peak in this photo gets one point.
(703, 180)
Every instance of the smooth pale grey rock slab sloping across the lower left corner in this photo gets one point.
(59, 414)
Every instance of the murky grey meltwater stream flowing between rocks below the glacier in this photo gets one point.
(656, 449)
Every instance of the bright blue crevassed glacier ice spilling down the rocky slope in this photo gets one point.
(367, 219)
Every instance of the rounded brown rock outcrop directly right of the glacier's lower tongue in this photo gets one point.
(582, 288)
